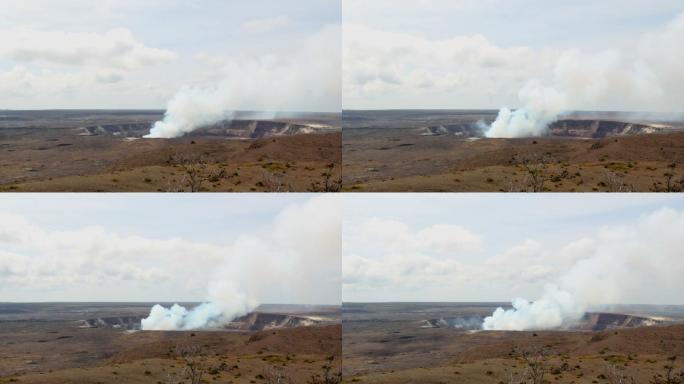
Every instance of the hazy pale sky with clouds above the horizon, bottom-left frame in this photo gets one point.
(278, 248)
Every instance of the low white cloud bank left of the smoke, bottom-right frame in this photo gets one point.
(382, 275)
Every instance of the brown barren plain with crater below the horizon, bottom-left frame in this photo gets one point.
(101, 343)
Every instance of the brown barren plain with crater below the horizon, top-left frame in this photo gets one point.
(91, 151)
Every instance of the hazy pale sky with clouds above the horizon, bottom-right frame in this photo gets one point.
(496, 247)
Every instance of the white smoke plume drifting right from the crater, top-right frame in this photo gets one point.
(640, 78)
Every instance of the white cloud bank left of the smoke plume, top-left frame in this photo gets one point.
(49, 65)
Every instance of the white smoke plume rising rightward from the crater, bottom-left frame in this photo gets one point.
(300, 257)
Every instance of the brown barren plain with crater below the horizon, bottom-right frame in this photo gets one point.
(442, 343)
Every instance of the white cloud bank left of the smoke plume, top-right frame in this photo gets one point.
(381, 68)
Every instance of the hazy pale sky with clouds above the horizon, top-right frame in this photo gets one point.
(612, 54)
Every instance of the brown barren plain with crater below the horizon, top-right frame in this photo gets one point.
(442, 150)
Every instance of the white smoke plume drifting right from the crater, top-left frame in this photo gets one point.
(307, 80)
